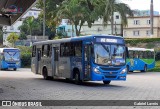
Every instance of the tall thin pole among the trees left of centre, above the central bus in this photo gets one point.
(44, 18)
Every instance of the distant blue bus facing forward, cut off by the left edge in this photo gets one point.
(9, 58)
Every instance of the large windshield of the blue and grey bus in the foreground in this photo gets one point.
(109, 54)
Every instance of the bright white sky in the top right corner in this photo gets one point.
(143, 4)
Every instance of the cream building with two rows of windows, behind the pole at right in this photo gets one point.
(139, 27)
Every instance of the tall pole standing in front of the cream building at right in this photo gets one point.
(151, 19)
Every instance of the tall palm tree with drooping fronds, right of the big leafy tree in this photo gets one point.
(113, 6)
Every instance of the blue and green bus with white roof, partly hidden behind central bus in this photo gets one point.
(140, 59)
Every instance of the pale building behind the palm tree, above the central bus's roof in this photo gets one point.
(98, 28)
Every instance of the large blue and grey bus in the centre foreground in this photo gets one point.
(85, 58)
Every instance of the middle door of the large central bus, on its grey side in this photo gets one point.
(55, 61)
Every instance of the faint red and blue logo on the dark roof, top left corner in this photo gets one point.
(12, 9)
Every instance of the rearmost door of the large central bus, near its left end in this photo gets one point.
(38, 67)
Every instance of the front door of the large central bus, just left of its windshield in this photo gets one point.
(87, 65)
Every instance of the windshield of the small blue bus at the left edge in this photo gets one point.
(12, 56)
